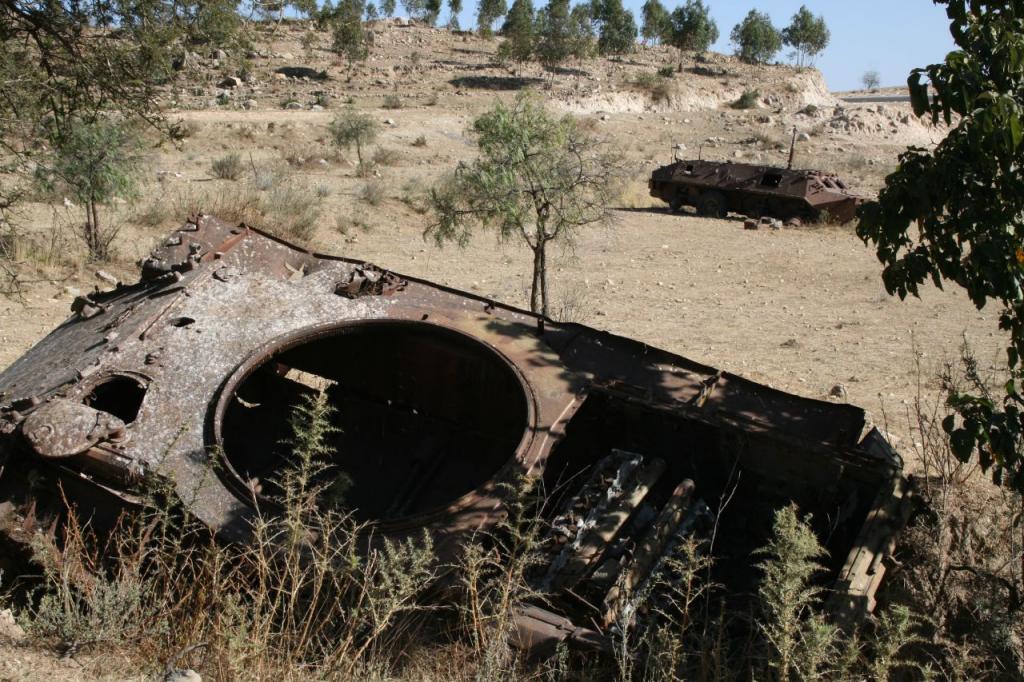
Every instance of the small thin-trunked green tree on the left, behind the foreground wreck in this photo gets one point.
(96, 162)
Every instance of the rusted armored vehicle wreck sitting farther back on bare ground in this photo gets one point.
(717, 188)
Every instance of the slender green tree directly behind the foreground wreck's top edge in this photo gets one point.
(539, 180)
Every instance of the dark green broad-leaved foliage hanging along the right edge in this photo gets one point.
(956, 215)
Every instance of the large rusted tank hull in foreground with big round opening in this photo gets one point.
(441, 397)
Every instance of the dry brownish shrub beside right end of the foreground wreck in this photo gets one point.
(960, 564)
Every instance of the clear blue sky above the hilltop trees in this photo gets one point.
(889, 36)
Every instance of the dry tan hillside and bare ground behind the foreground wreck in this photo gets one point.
(799, 310)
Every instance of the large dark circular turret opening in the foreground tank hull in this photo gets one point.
(424, 415)
